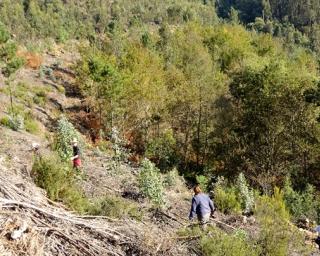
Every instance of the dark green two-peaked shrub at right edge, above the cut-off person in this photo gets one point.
(302, 204)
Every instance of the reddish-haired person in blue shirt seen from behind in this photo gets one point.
(202, 206)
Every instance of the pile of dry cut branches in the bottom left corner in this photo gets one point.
(42, 228)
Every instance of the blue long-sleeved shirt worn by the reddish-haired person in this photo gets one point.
(201, 205)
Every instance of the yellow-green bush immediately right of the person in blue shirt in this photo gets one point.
(226, 198)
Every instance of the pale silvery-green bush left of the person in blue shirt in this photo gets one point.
(150, 183)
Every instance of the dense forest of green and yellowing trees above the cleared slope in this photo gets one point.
(215, 88)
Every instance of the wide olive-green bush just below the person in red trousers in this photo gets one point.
(58, 180)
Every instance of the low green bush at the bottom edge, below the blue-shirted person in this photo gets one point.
(221, 244)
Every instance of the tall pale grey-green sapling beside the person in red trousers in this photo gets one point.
(65, 134)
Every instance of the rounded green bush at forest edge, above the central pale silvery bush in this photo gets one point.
(162, 150)
